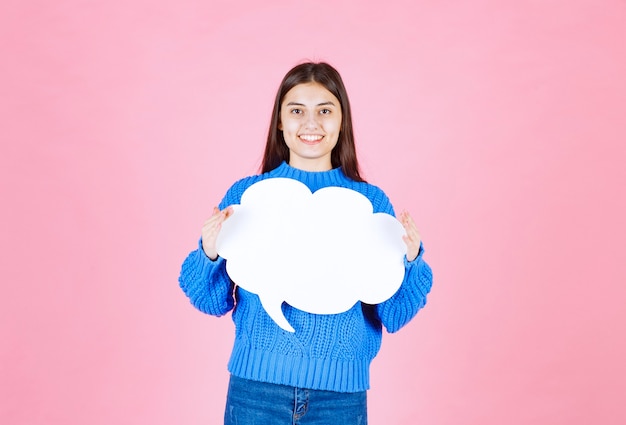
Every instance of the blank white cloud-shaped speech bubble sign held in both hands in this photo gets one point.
(319, 252)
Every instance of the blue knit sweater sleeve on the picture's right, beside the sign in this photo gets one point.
(410, 298)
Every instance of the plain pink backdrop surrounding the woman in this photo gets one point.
(499, 124)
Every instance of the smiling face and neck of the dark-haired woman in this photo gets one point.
(310, 119)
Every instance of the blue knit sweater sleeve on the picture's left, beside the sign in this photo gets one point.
(206, 283)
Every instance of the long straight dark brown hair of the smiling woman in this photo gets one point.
(344, 153)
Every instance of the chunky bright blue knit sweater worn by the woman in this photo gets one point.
(328, 352)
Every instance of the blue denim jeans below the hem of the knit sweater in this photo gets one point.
(259, 403)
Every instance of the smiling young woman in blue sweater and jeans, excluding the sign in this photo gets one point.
(320, 373)
